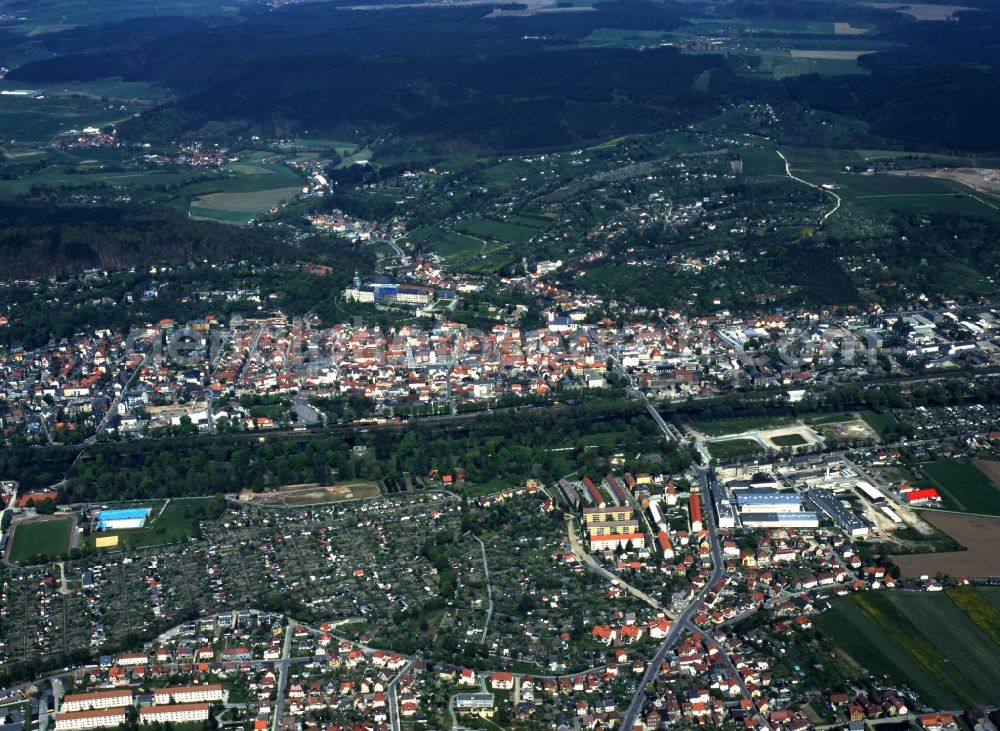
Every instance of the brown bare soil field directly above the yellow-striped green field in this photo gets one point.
(977, 533)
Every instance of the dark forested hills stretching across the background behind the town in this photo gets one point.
(463, 77)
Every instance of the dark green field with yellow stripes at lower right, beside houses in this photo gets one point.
(924, 640)
